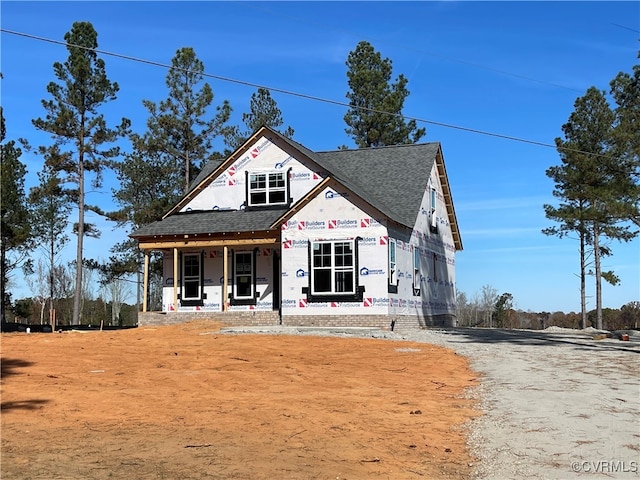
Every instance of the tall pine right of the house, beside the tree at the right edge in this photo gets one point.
(593, 182)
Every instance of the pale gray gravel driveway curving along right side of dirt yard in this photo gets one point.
(559, 404)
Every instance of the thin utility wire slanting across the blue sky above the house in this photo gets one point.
(307, 96)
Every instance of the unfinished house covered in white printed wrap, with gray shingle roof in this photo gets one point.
(349, 237)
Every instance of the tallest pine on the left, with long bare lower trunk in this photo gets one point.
(73, 119)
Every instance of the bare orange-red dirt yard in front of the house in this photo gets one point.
(189, 402)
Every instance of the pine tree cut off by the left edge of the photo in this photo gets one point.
(15, 230)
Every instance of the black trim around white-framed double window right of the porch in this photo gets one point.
(355, 295)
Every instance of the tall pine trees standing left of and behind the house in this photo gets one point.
(160, 166)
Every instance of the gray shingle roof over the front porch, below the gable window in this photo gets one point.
(203, 222)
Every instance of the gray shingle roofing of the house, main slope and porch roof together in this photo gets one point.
(392, 179)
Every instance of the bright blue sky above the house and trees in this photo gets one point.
(509, 68)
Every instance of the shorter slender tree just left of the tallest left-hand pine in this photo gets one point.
(50, 211)
